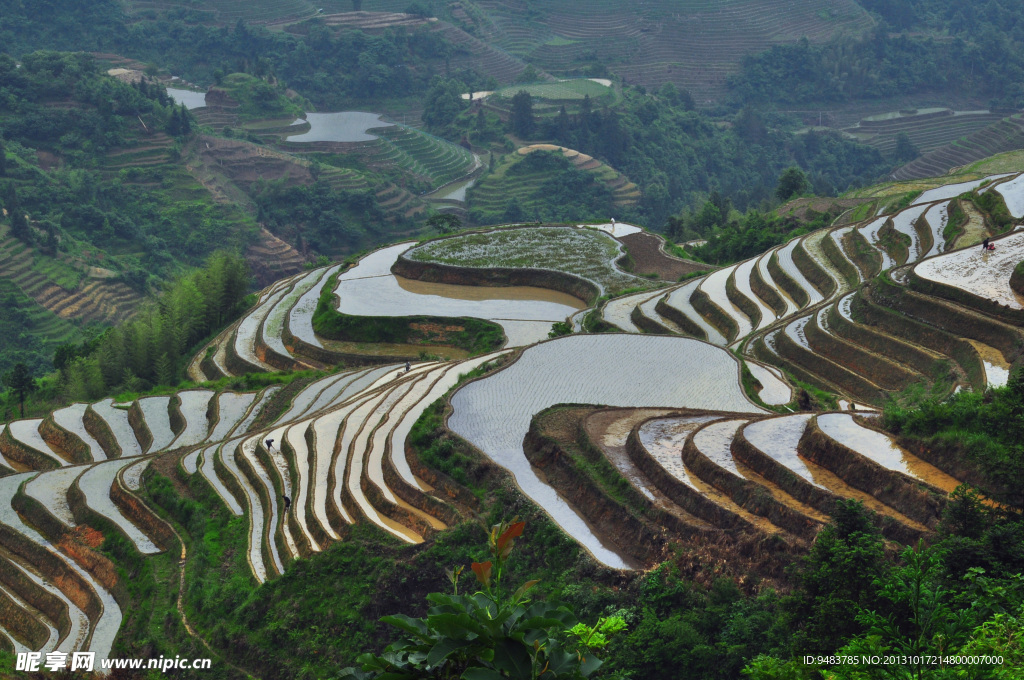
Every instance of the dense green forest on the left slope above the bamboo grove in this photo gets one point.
(81, 205)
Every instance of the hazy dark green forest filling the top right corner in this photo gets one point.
(921, 48)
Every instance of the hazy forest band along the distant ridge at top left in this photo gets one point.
(329, 68)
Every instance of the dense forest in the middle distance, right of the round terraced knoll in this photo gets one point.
(677, 155)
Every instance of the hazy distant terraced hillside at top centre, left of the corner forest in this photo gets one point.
(695, 45)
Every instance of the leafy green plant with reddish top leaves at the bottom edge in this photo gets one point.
(492, 634)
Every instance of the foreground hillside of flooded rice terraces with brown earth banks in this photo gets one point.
(686, 448)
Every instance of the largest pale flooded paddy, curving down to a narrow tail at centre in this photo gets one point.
(495, 413)
